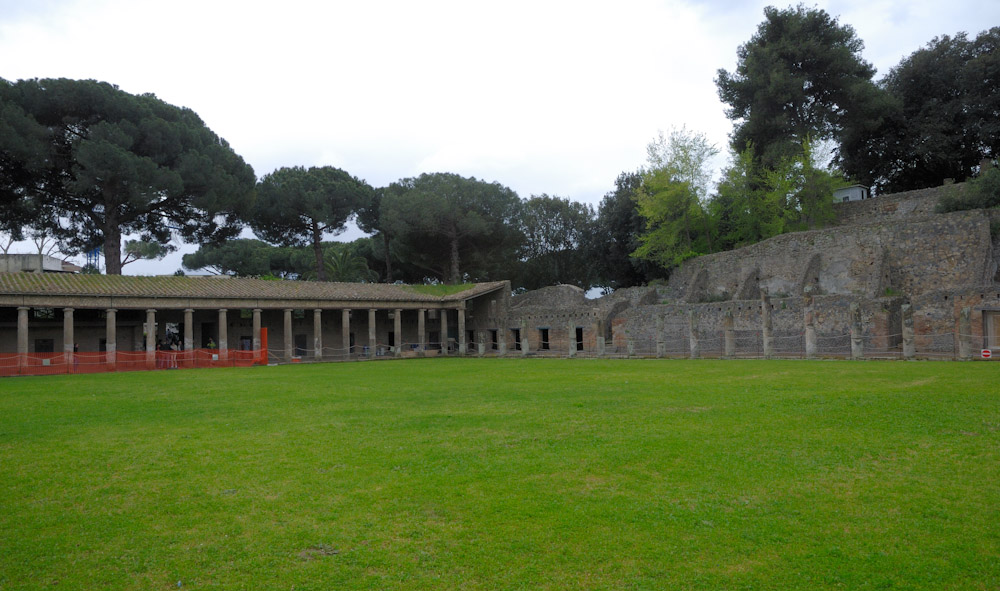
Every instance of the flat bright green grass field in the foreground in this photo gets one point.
(505, 474)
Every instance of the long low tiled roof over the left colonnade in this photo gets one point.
(63, 284)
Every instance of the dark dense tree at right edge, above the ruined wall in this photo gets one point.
(941, 118)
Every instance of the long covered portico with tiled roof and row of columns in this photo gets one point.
(107, 320)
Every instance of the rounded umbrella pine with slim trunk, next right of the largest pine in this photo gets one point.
(298, 206)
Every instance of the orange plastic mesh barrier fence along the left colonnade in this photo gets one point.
(40, 364)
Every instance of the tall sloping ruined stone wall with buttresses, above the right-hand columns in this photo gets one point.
(907, 257)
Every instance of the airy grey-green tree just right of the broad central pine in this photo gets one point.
(552, 252)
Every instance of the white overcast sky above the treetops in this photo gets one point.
(553, 97)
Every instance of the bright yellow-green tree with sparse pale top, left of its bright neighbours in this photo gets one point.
(671, 199)
